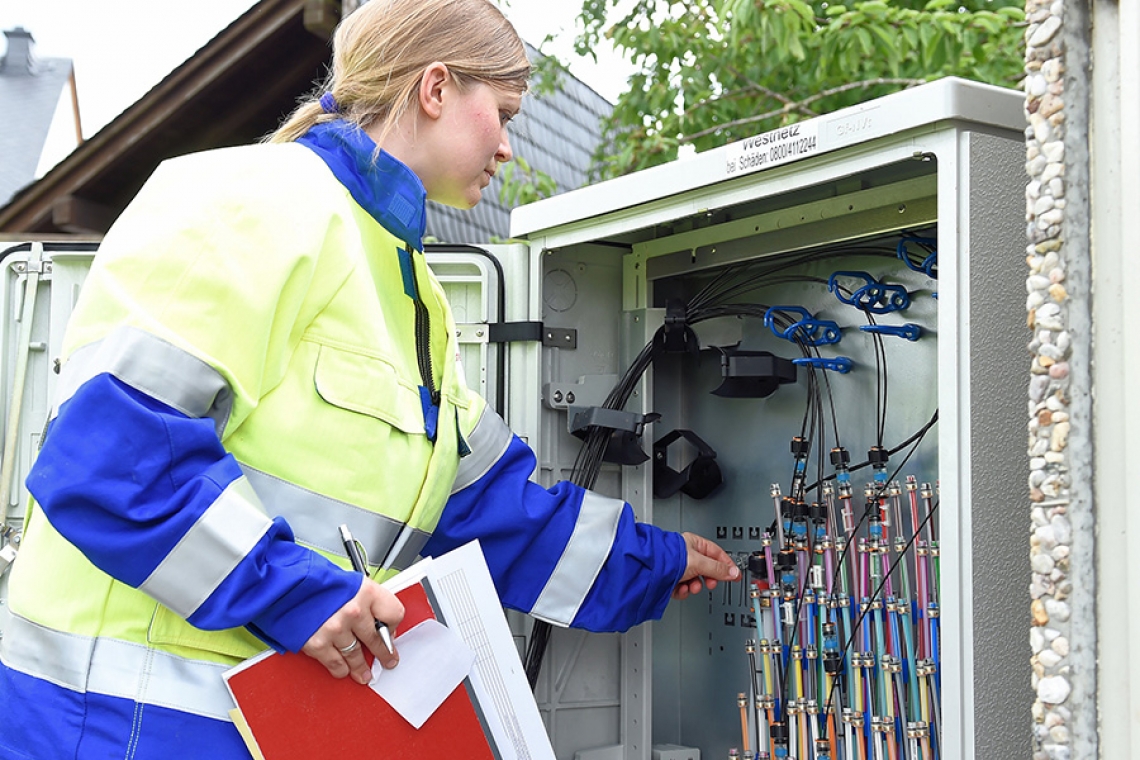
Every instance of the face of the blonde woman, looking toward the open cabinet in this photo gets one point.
(470, 144)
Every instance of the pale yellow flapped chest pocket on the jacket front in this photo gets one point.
(370, 387)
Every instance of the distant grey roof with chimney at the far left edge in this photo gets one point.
(30, 89)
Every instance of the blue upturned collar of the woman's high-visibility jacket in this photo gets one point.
(386, 189)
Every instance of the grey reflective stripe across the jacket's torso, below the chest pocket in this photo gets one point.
(315, 518)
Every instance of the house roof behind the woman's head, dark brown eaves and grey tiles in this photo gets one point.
(237, 89)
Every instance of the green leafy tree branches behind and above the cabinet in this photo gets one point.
(709, 72)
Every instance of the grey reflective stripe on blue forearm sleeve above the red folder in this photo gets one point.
(210, 550)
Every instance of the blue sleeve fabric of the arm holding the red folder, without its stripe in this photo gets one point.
(126, 478)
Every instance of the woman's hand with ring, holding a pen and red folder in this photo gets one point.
(339, 643)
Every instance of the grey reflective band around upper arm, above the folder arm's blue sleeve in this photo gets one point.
(152, 366)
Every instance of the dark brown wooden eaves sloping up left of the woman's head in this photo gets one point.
(230, 93)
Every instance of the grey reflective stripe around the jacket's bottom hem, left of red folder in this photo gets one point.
(116, 668)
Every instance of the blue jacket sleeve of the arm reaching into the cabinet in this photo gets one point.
(525, 532)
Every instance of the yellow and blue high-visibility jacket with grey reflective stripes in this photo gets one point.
(260, 355)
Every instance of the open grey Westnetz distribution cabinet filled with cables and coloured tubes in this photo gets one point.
(706, 340)
